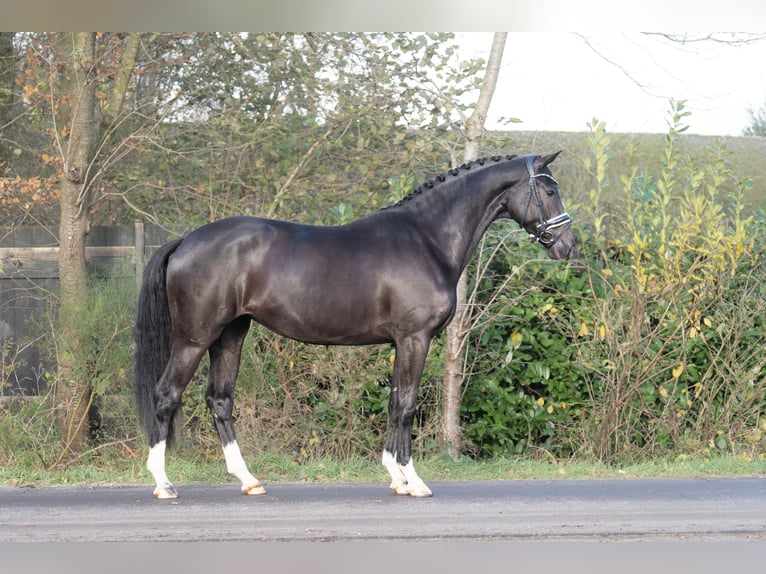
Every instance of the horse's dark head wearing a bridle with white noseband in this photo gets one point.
(540, 211)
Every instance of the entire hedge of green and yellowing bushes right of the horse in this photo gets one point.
(654, 345)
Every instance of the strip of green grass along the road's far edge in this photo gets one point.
(275, 468)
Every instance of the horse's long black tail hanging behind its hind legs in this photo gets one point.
(153, 337)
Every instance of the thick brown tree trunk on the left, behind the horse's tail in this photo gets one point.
(76, 133)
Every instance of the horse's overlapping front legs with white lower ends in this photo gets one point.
(397, 454)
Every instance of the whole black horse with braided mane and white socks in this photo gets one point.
(389, 277)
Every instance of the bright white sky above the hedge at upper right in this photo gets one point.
(557, 82)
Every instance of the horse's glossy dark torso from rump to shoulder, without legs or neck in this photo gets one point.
(359, 284)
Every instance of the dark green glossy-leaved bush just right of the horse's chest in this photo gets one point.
(525, 386)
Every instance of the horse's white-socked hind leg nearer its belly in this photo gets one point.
(224, 367)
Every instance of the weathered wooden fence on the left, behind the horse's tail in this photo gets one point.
(29, 275)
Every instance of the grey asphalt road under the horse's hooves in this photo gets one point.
(717, 509)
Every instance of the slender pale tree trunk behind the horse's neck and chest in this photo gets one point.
(457, 330)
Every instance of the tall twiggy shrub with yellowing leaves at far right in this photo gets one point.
(679, 307)
